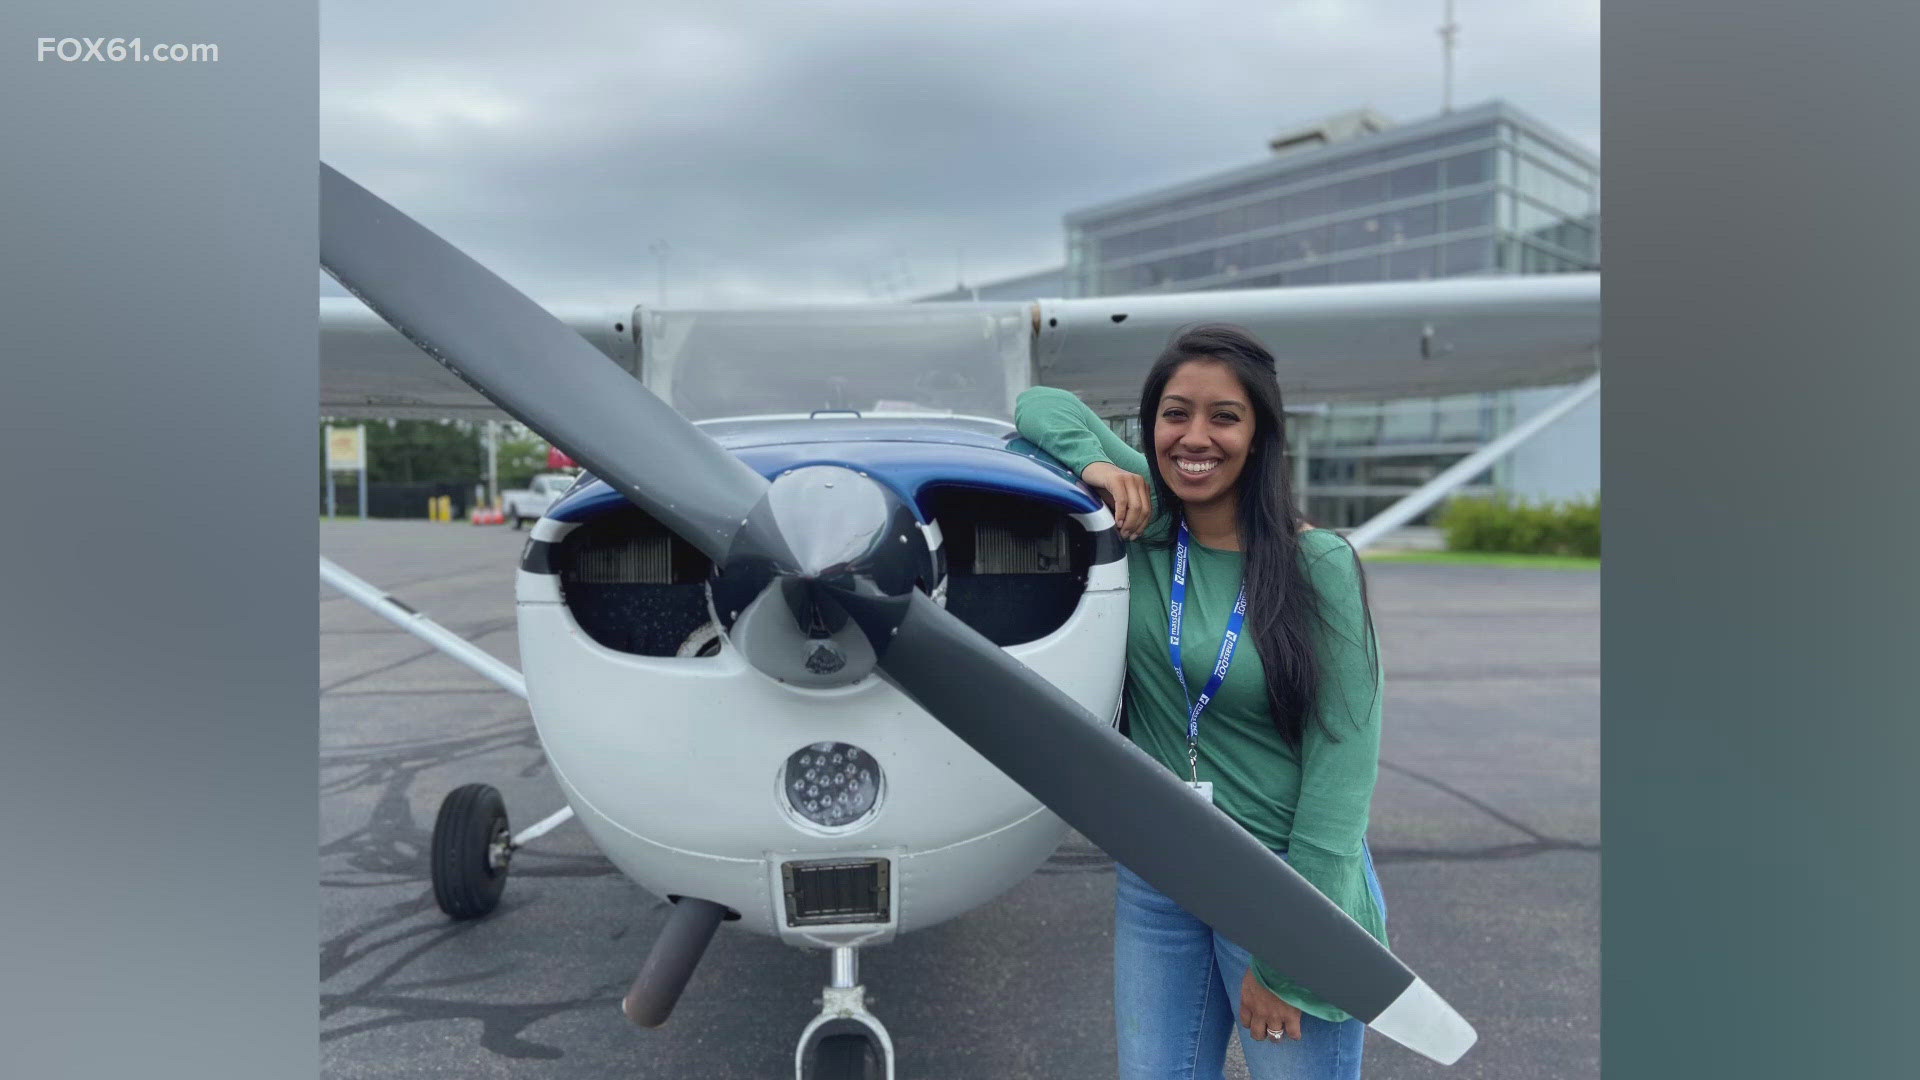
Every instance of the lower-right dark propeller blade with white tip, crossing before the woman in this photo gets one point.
(1149, 820)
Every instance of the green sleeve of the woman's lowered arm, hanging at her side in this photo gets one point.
(1339, 760)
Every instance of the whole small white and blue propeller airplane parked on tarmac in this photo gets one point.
(817, 645)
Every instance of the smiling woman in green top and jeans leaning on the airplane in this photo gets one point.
(1289, 741)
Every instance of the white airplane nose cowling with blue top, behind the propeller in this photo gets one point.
(679, 764)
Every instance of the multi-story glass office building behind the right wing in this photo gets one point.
(1483, 191)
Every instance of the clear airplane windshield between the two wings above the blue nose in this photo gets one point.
(898, 358)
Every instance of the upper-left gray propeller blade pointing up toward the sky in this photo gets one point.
(535, 368)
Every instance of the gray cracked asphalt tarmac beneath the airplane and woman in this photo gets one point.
(1485, 833)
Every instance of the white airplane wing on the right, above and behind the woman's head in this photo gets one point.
(1341, 341)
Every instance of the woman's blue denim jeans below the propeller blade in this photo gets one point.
(1178, 1000)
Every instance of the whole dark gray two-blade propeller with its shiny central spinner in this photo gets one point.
(819, 583)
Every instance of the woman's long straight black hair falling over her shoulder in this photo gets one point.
(1284, 608)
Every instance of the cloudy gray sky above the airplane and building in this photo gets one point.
(867, 151)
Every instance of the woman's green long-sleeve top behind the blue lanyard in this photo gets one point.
(1314, 804)
